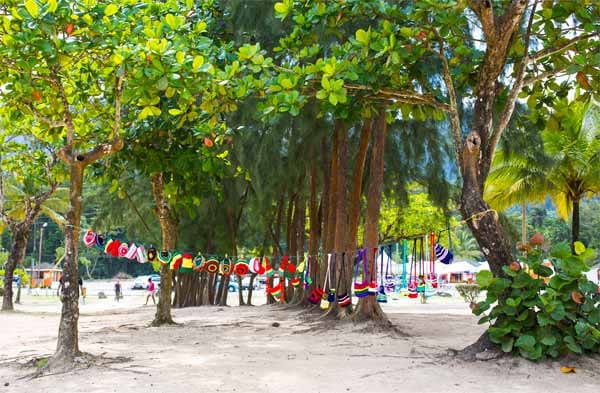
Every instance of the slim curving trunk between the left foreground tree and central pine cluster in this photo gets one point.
(167, 227)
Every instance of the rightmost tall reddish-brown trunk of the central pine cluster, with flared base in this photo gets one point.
(368, 308)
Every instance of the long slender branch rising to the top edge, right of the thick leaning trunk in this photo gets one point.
(514, 92)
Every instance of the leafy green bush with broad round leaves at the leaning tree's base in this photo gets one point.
(539, 319)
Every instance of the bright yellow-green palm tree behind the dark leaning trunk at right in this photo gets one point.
(567, 171)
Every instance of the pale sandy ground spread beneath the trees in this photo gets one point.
(233, 349)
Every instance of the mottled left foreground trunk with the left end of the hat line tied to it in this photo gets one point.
(68, 336)
